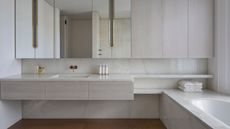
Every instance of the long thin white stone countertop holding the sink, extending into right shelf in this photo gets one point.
(96, 77)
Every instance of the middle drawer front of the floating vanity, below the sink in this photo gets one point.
(67, 91)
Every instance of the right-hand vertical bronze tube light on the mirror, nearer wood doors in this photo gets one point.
(111, 18)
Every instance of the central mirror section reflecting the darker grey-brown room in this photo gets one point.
(75, 28)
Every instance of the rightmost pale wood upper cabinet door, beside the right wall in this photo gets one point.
(201, 25)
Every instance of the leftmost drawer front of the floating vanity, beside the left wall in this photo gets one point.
(22, 90)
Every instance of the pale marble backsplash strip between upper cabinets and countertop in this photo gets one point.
(120, 66)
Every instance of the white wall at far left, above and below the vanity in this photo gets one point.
(10, 111)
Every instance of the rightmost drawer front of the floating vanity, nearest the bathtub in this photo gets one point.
(111, 91)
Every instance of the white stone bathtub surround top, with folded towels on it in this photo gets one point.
(185, 100)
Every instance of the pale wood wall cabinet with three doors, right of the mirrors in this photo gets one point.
(172, 28)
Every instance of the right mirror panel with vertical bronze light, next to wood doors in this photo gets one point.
(113, 41)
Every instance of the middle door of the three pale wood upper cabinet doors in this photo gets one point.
(175, 28)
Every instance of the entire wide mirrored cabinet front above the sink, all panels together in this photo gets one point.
(73, 29)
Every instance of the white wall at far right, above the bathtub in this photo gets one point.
(219, 66)
